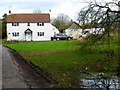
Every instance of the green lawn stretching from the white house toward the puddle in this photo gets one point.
(64, 60)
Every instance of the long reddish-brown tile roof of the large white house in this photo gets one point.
(31, 18)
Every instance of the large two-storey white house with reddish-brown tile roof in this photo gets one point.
(30, 27)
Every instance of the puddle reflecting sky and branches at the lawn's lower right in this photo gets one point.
(104, 81)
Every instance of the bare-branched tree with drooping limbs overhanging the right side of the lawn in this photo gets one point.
(106, 17)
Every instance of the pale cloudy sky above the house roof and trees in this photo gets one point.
(68, 7)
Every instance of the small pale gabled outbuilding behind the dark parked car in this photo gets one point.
(73, 29)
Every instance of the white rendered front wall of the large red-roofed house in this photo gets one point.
(48, 30)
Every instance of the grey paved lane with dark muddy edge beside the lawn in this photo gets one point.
(17, 74)
